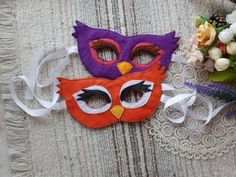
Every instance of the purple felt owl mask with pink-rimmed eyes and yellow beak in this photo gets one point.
(90, 40)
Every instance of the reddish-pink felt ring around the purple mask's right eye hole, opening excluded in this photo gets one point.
(149, 48)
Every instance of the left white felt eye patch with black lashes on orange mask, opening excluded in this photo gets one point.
(83, 95)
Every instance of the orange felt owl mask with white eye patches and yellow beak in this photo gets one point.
(77, 92)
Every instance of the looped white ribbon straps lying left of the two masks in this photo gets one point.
(31, 83)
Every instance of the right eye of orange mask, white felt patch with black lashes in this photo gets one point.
(142, 89)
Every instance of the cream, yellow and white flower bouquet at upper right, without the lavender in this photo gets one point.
(215, 46)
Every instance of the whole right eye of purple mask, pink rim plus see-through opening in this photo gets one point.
(145, 55)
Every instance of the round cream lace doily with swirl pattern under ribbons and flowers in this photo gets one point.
(192, 139)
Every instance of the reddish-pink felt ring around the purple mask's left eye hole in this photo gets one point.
(104, 43)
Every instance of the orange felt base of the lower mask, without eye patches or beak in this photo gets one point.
(69, 87)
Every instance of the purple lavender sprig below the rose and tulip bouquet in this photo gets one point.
(218, 90)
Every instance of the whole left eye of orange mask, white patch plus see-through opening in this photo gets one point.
(93, 100)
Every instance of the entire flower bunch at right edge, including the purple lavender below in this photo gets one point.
(214, 47)
